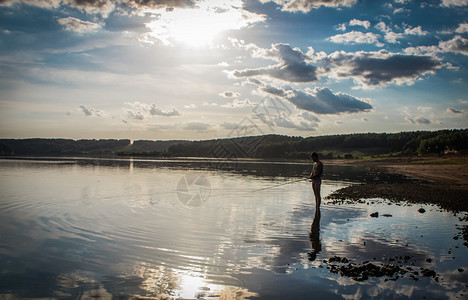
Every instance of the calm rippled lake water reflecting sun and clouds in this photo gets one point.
(80, 228)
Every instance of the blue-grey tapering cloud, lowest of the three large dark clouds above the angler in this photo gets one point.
(323, 101)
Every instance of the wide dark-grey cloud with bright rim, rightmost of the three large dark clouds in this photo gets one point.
(370, 69)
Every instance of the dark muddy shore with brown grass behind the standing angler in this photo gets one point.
(443, 182)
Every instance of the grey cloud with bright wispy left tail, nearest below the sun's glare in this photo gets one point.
(292, 66)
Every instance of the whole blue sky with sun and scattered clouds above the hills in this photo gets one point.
(194, 69)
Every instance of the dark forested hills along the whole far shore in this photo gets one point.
(264, 147)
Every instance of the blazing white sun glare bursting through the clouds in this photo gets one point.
(200, 25)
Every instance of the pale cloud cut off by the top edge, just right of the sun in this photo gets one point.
(308, 5)
